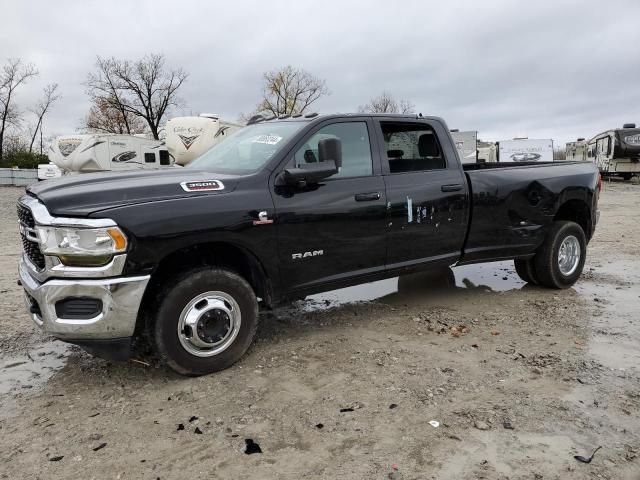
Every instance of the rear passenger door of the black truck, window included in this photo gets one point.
(426, 192)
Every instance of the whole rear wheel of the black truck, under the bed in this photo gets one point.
(560, 260)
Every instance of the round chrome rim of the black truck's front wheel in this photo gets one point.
(209, 324)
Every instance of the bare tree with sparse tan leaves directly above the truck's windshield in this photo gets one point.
(289, 91)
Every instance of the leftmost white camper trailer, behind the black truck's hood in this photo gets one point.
(107, 152)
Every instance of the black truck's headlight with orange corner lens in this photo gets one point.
(82, 247)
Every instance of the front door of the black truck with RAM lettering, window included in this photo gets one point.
(335, 230)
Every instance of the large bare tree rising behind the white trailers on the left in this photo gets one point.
(143, 88)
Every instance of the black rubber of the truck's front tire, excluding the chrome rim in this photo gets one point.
(175, 297)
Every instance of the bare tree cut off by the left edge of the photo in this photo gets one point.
(14, 74)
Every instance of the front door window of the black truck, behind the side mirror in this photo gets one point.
(356, 150)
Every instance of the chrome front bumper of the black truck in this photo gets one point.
(120, 297)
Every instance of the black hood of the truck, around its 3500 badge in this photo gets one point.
(83, 194)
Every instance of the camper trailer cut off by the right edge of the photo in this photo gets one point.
(617, 151)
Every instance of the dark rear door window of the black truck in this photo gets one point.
(411, 147)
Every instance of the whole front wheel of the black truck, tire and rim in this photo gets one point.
(205, 322)
